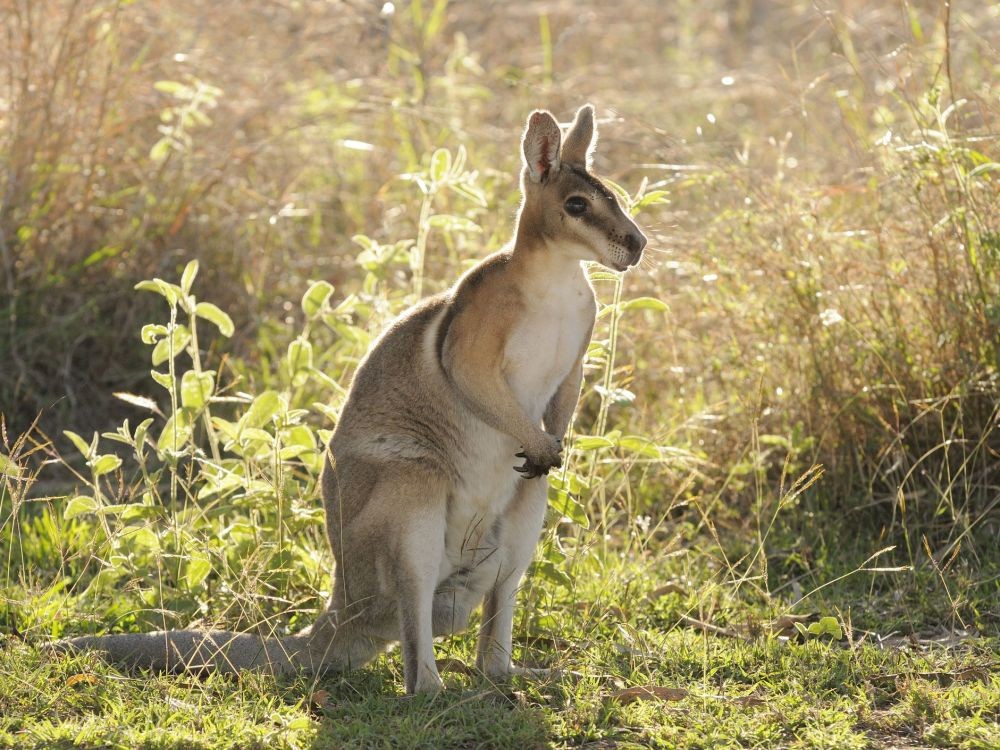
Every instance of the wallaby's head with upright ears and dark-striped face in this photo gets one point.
(567, 206)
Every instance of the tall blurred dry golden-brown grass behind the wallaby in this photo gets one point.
(824, 230)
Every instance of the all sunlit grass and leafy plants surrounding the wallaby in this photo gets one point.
(789, 410)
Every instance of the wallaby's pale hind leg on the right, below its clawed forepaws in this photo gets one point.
(522, 525)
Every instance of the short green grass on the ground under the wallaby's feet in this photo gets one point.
(748, 688)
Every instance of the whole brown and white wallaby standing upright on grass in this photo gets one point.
(427, 512)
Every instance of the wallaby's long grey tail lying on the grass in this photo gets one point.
(316, 650)
